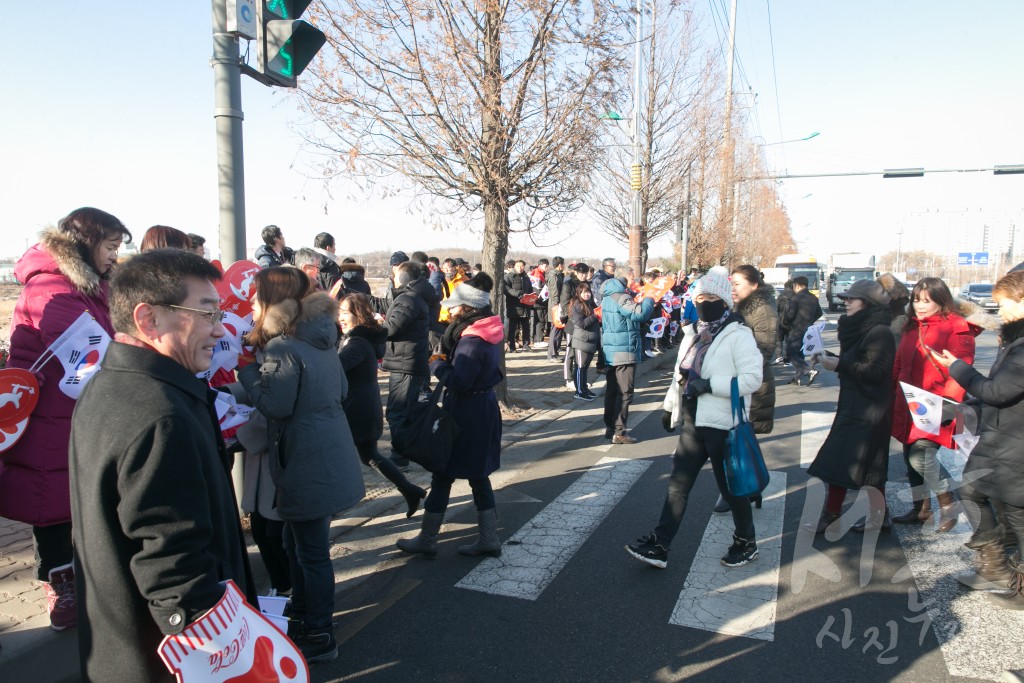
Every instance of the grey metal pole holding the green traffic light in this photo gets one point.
(228, 115)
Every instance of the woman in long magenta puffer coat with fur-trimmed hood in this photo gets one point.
(65, 276)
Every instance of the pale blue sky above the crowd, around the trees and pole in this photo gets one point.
(114, 109)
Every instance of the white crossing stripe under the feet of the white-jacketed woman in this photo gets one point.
(739, 602)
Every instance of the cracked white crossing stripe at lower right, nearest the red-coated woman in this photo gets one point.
(965, 623)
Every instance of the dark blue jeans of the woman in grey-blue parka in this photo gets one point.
(309, 548)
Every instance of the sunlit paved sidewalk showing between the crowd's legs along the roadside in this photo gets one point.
(30, 651)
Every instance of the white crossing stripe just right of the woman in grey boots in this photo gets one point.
(535, 556)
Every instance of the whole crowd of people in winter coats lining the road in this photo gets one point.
(129, 486)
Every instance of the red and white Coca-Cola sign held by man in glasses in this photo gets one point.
(234, 644)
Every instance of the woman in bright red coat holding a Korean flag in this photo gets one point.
(934, 323)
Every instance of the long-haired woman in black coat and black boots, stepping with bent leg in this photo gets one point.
(362, 346)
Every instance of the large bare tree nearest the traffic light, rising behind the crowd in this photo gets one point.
(488, 105)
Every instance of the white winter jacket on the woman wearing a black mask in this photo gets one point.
(734, 354)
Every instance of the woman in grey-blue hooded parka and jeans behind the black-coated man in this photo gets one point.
(298, 385)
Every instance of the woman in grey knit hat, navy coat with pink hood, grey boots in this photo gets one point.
(470, 363)
